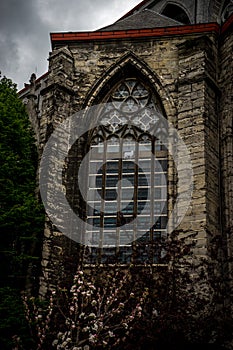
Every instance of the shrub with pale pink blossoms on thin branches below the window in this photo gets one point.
(99, 311)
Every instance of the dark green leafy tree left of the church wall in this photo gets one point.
(21, 214)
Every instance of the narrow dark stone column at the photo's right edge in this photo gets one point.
(226, 108)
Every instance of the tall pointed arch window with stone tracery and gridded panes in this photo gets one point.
(127, 181)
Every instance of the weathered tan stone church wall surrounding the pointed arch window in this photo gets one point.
(183, 72)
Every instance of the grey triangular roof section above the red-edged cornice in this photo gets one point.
(140, 20)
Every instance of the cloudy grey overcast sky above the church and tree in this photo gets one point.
(25, 26)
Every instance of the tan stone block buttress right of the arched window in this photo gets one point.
(197, 125)
